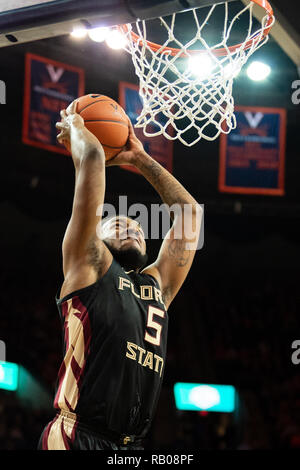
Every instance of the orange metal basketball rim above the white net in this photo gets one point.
(217, 52)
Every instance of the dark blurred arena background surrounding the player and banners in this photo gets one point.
(237, 315)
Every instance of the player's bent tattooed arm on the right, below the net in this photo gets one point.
(178, 248)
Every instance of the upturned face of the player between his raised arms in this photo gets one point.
(122, 233)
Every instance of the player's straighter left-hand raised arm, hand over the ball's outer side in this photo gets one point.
(89, 162)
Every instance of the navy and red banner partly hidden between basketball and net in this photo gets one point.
(158, 147)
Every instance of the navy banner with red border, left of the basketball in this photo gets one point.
(49, 87)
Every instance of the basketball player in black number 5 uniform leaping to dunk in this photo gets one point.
(113, 309)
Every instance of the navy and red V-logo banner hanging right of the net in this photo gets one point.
(252, 156)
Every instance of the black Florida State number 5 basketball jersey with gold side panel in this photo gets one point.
(115, 339)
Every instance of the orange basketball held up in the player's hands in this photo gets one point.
(106, 119)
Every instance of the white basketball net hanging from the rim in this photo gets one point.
(179, 101)
